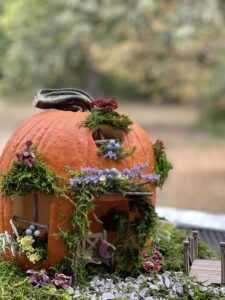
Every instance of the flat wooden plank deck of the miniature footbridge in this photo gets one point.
(206, 270)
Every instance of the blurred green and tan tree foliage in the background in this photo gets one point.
(159, 50)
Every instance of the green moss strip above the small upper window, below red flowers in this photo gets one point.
(112, 118)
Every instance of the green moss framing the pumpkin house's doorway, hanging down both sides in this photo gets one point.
(131, 236)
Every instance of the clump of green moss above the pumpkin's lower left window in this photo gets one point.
(20, 180)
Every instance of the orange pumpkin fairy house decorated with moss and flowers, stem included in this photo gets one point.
(78, 168)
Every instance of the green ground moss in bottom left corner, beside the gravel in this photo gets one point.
(14, 286)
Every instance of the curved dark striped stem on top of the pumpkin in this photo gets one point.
(63, 99)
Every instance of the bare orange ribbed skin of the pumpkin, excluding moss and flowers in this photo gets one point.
(63, 142)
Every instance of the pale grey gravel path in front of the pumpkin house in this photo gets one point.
(168, 284)
